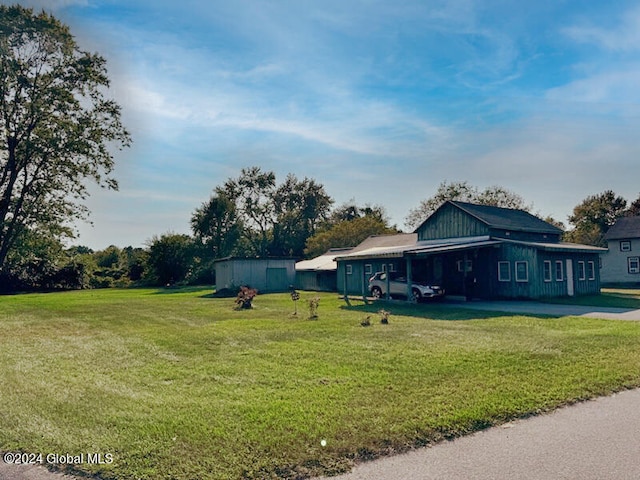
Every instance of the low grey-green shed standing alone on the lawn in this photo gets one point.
(264, 274)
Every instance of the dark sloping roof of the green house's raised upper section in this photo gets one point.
(506, 218)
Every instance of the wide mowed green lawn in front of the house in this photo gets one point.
(178, 385)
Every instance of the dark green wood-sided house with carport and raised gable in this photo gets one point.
(480, 251)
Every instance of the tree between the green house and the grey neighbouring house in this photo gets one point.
(593, 217)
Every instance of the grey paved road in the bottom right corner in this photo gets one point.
(595, 440)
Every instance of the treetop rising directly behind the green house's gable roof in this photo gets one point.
(464, 192)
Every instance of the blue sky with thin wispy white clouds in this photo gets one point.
(379, 101)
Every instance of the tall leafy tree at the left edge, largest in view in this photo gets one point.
(57, 127)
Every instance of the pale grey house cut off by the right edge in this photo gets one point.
(621, 263)
